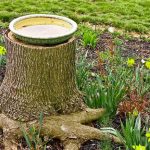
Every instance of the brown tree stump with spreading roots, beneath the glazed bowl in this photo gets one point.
(42, 79)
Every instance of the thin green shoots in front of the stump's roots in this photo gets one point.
(32, 137)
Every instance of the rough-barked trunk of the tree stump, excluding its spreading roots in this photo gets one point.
(39, 79)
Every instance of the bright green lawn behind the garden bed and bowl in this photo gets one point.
(131, 15)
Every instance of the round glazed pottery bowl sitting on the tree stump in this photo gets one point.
(43, 29)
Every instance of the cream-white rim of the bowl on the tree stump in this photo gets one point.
(70, 32)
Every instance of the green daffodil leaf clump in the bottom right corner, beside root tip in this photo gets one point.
(132, 132)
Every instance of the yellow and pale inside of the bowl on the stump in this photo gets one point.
(42, 27)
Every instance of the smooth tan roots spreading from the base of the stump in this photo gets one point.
(70, 129)
